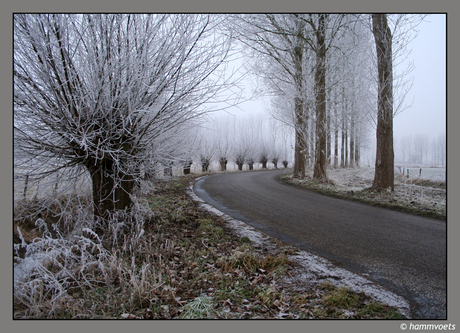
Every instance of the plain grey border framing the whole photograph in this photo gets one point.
(212, 6)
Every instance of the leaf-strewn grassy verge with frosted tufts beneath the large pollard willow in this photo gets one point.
(167, 258)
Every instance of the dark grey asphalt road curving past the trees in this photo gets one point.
(404, 253)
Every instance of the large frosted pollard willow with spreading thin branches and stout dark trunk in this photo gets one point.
(106, 93)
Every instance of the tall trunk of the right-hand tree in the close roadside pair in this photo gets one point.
(320, 92)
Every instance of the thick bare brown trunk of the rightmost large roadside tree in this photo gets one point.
(384, 164)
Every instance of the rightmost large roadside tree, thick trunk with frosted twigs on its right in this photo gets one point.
(391, 46)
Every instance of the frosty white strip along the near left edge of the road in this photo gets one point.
(313, 268)
